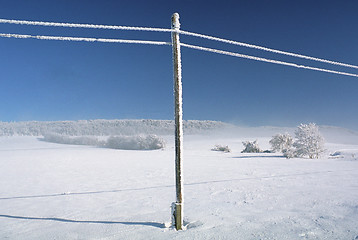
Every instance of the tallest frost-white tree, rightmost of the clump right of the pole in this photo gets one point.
(309, 141)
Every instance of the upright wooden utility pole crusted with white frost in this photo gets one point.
(178, 206)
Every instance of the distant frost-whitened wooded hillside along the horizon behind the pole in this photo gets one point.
(105, 127)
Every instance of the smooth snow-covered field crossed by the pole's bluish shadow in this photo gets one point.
(58, 191)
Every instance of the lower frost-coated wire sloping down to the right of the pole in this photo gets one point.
(266, 60)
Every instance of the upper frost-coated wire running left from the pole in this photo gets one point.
(76, 25)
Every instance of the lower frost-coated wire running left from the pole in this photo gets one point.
(77, 39)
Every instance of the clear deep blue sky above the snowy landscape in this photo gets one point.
(54, 80)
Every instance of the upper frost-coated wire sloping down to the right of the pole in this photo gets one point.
(266, 49)
